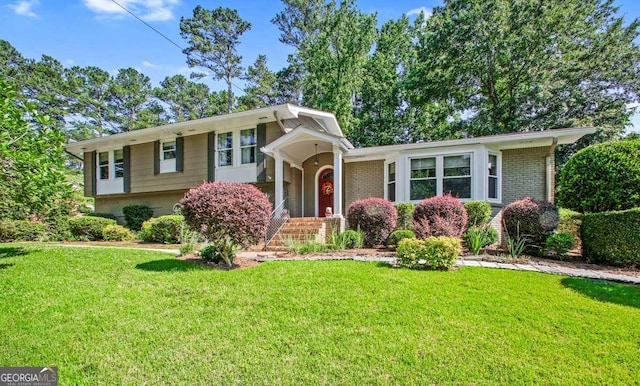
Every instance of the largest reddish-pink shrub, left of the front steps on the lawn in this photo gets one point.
(219, 209)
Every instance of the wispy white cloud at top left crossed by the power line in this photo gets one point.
(148, 10)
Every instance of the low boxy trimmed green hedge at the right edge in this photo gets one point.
(612, 237)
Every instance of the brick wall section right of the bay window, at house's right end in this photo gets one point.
(524, 174)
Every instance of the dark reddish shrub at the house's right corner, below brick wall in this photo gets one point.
(537, 220)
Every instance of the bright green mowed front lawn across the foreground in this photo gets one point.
(108, 316)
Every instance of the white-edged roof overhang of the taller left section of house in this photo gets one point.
(323, 120)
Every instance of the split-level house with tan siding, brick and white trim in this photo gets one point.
(301, 159)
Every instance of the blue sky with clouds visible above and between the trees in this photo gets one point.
(99, 33)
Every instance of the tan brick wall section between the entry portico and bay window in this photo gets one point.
(363, 180)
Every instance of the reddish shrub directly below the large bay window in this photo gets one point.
(439, 216)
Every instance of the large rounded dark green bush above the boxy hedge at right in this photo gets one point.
(601, 178)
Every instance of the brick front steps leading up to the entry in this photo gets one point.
(298, 229)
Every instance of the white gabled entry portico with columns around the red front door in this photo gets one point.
(318, 156)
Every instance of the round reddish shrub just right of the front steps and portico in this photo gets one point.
(375, 217)
